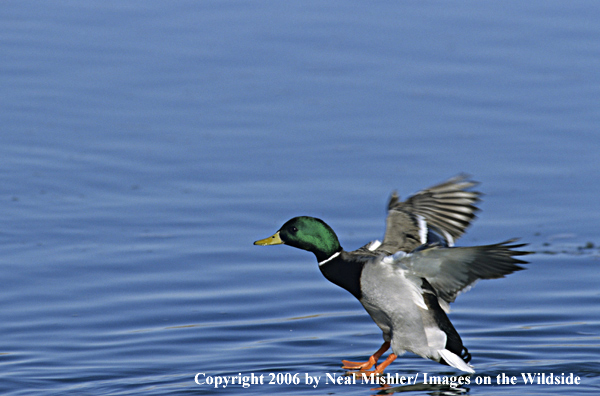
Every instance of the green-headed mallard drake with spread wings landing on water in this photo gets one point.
(407, 281)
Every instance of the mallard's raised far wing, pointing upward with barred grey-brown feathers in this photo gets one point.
(446, 209)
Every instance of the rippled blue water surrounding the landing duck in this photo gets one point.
(146, 145)
